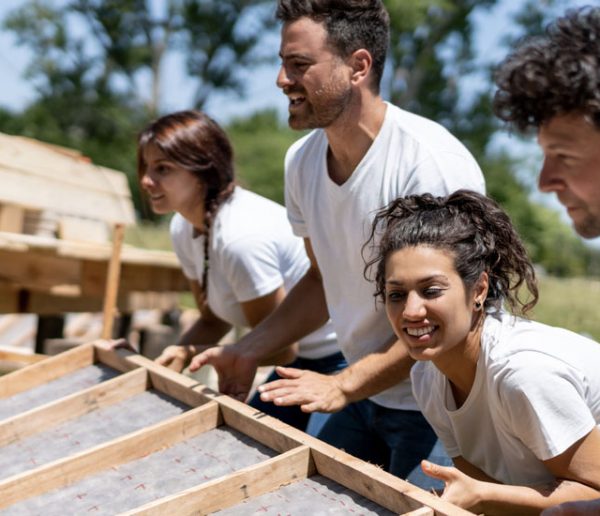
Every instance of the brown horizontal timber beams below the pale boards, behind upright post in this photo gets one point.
(50, 276)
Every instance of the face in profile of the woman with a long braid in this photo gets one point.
(171, 187)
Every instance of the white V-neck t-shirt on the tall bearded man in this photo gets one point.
(410, 155)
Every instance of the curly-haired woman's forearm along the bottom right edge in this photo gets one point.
(499, 499)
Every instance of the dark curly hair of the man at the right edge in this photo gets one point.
(553, 74)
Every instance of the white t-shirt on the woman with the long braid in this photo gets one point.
(252, 253)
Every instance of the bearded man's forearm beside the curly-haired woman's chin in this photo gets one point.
(376, 372)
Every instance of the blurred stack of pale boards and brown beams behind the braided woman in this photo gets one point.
(57, 212)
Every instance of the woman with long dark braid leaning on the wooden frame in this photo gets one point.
(236, 247)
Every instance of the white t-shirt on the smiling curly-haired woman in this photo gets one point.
(536, 392)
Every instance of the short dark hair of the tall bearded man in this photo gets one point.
(350, 25)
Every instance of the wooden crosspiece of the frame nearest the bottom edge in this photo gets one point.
(235, 488)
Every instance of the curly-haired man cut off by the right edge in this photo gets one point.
(552, 84)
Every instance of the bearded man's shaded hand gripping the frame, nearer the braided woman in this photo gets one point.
(235, 370)
